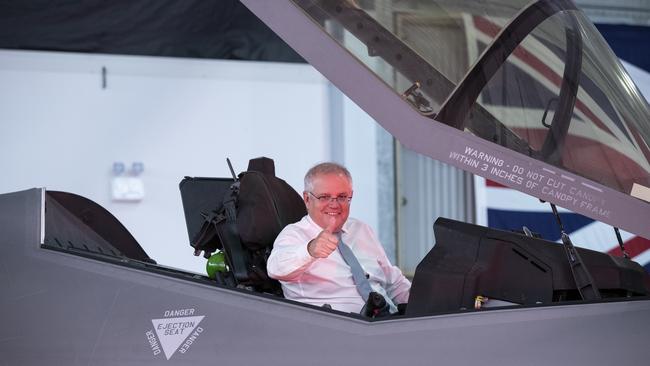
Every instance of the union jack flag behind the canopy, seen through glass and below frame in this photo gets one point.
(602, 143)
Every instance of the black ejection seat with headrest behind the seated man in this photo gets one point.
(241, 217)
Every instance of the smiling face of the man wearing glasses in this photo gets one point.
(329, 185)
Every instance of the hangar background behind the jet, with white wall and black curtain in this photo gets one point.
(159, 90)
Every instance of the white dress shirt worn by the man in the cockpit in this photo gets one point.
(319, 281)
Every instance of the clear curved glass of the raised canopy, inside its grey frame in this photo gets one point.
(535, 77)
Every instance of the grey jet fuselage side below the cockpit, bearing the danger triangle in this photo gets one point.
(68, 310)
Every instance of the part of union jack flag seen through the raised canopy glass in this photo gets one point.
(603, 142)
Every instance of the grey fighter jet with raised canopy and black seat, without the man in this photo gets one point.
(524, 93)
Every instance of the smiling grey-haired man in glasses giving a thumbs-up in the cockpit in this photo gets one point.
(307, 258)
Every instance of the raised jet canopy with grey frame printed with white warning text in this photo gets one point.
(527, 94)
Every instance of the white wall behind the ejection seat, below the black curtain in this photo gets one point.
(61, 130)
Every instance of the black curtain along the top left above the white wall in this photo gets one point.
(222, 29)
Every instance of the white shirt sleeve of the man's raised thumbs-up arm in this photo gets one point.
(289, 258)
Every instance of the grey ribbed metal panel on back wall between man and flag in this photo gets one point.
(428, 188)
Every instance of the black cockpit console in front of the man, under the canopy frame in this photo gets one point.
(469, 261)
